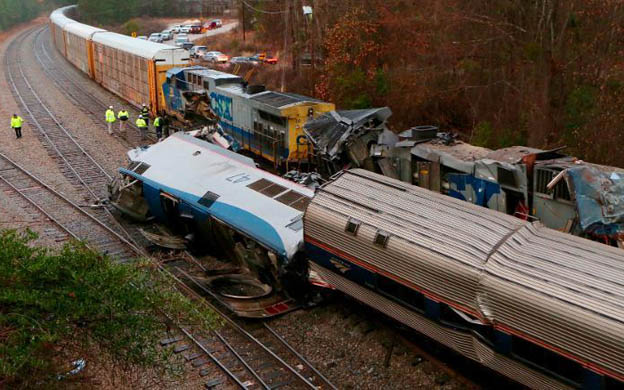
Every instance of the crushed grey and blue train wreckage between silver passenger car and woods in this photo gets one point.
(562, 192)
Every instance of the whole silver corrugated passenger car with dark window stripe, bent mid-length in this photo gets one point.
(542, 307)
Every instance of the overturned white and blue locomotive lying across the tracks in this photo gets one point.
(197, 186)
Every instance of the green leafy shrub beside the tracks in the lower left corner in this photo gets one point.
(76, 299)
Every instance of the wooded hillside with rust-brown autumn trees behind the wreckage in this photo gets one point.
(542, 73)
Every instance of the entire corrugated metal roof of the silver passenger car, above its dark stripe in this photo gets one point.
(537, 283)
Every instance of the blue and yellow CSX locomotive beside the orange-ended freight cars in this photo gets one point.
(267, 123)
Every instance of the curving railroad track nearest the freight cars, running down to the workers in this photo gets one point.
(74, 89)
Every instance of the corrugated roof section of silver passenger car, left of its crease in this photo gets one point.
(437, 243)
